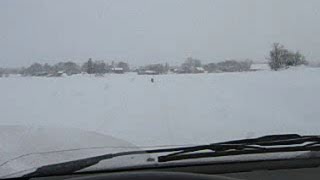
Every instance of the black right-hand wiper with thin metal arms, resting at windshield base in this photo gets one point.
(265, 144)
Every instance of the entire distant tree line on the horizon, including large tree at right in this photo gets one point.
(279, 58)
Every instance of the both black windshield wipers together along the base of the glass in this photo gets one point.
(266, 144)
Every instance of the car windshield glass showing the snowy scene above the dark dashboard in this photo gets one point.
(84, 78)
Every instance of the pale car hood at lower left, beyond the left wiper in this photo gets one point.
(23, 149)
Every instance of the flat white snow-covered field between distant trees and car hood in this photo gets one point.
(176, 109)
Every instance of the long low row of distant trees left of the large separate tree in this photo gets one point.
(191, 65)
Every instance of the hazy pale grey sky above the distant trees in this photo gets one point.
(149, 31)
